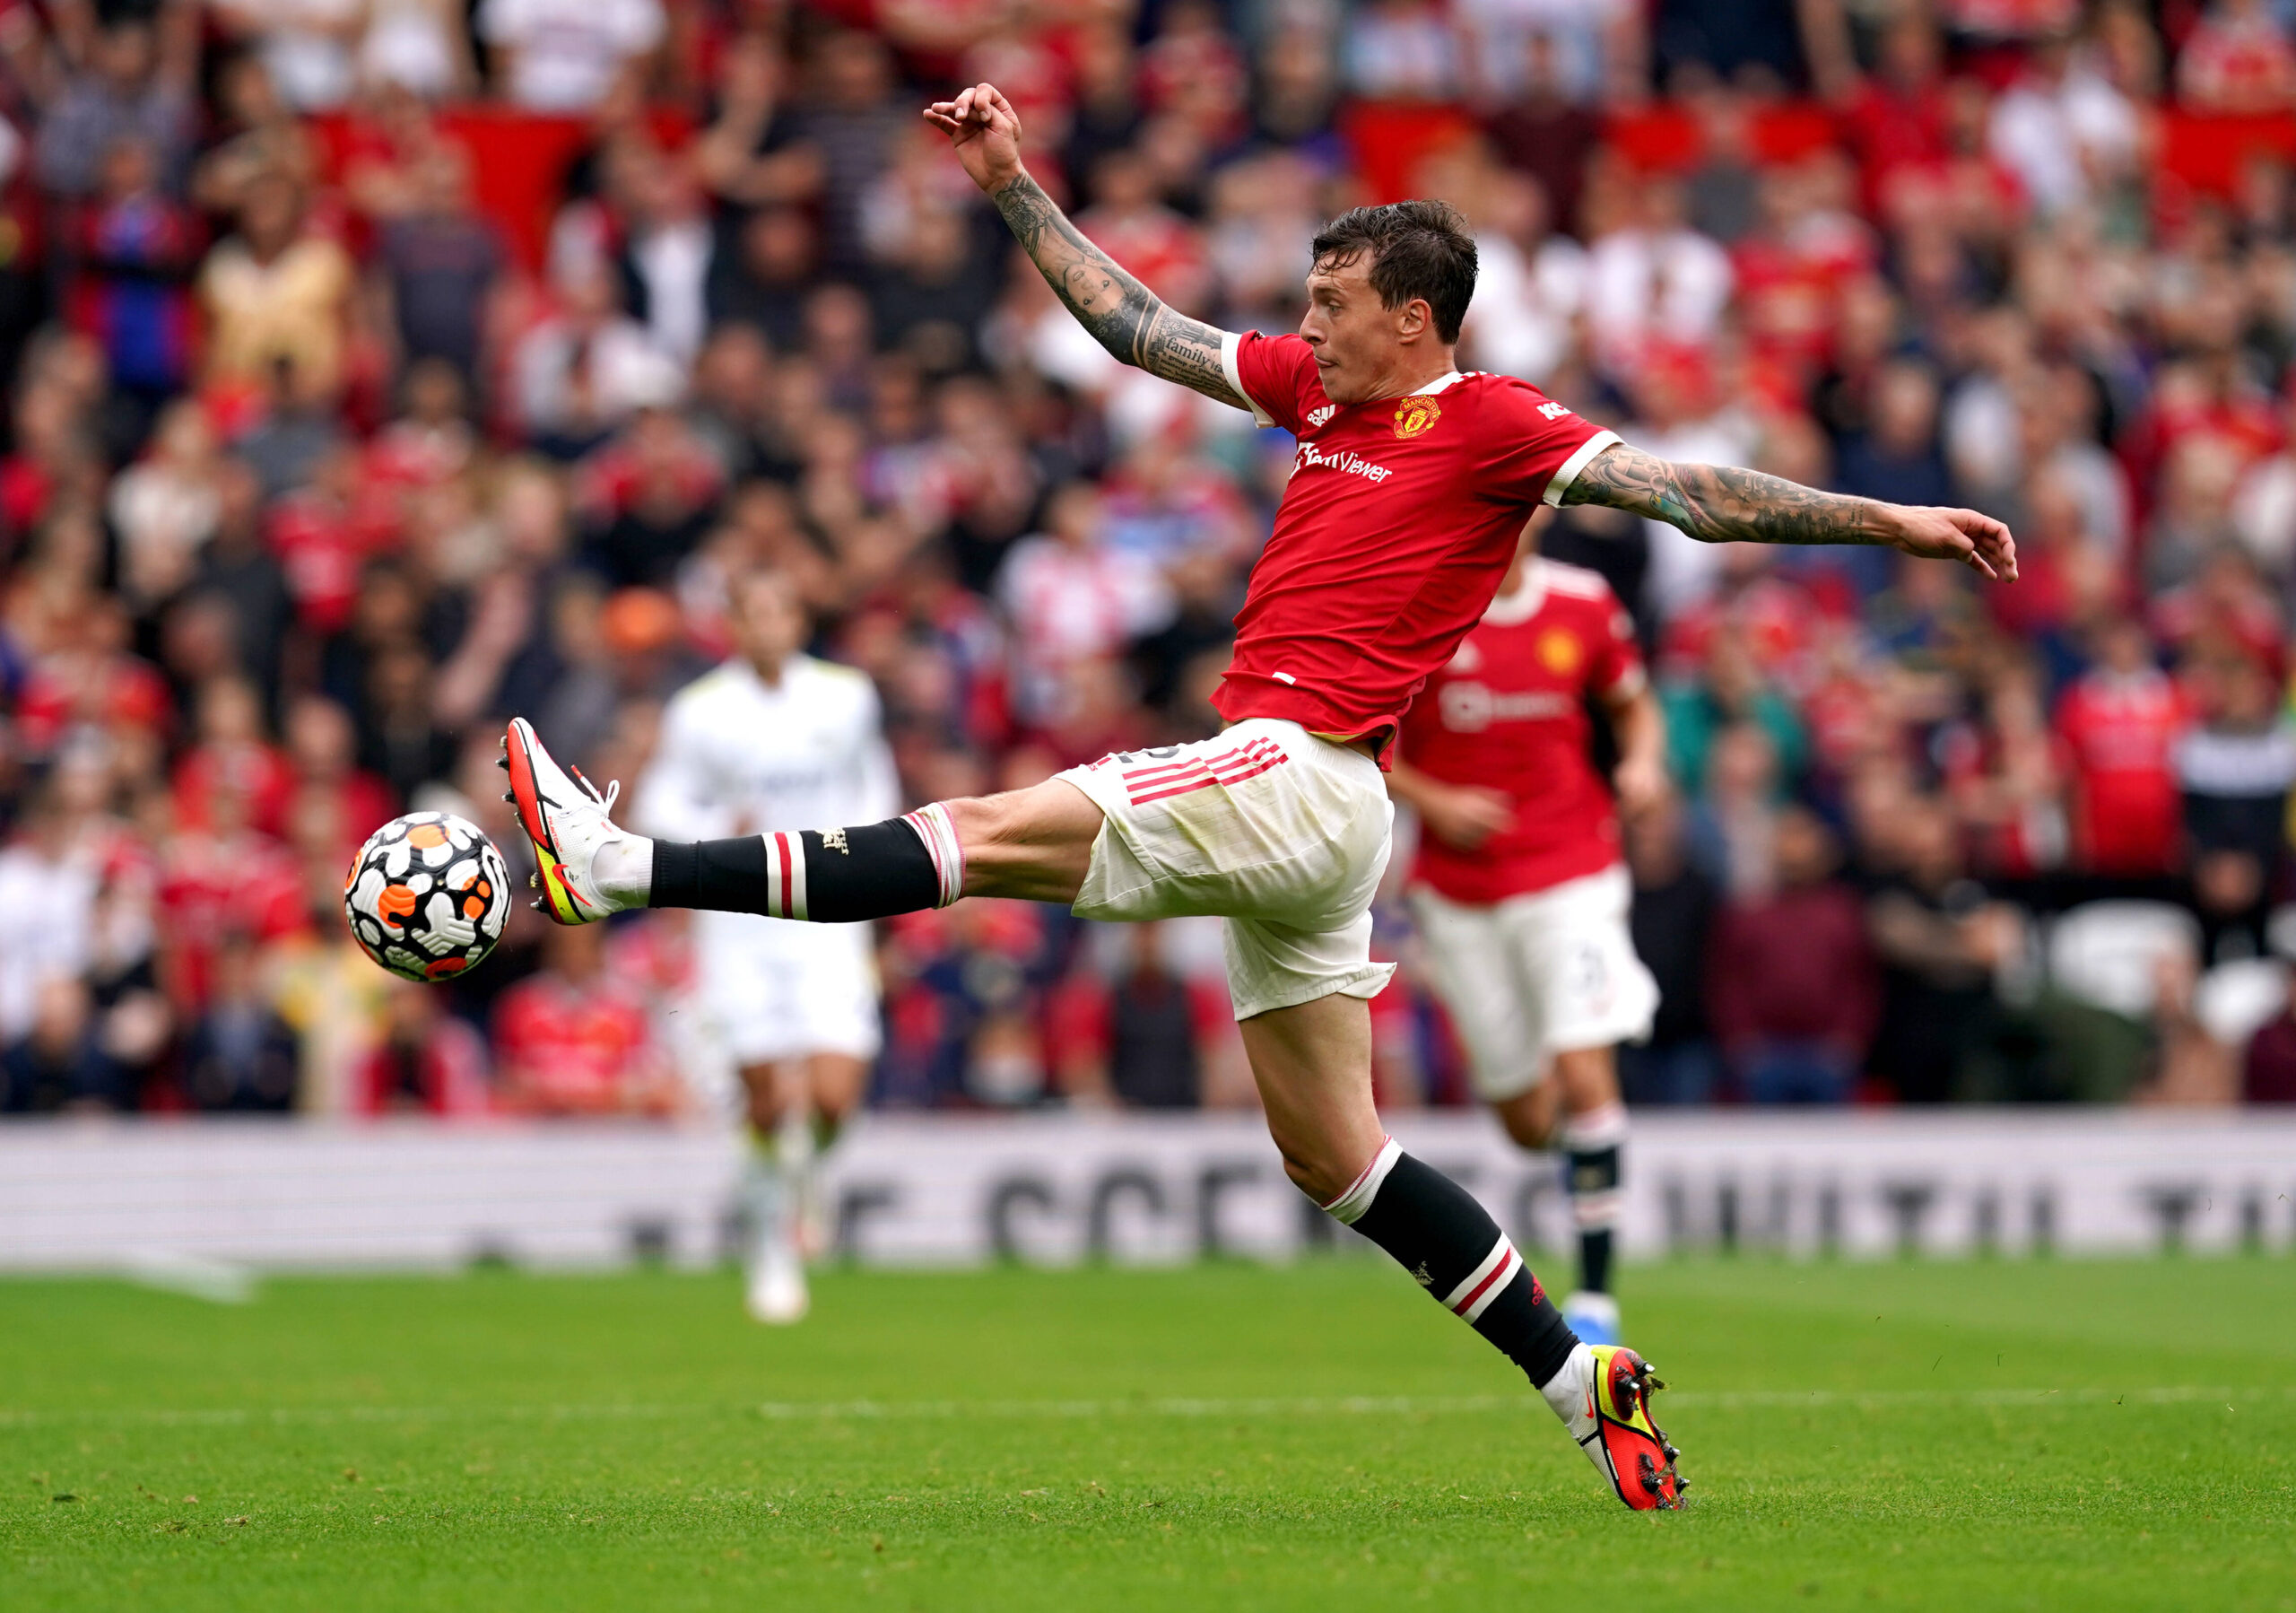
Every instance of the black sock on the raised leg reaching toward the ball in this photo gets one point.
(830, 877)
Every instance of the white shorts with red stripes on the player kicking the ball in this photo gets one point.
(1266, 826)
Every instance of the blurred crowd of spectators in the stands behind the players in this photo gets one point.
(378, 369)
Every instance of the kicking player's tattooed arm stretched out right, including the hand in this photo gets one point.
(1725, 504)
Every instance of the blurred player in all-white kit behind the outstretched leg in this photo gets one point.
(773, 741)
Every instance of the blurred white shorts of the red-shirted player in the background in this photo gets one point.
(1537, 975)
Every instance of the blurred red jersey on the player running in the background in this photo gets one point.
(1510, 713)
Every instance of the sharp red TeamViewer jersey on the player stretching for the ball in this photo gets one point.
(1397, 525)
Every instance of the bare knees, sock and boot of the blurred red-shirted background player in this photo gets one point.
(1592, 1136)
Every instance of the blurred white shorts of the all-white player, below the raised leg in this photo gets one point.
(773, 989)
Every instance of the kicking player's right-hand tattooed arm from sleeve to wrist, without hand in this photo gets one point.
(1723, 504)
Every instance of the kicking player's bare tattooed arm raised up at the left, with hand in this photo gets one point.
(1122, 314)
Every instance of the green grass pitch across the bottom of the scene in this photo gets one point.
(1227, 1437)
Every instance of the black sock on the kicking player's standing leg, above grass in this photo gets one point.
(1455, 1249)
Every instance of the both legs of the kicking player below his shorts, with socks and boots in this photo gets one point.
(1310, 1058)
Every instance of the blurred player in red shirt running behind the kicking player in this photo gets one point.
(1519, 886)
